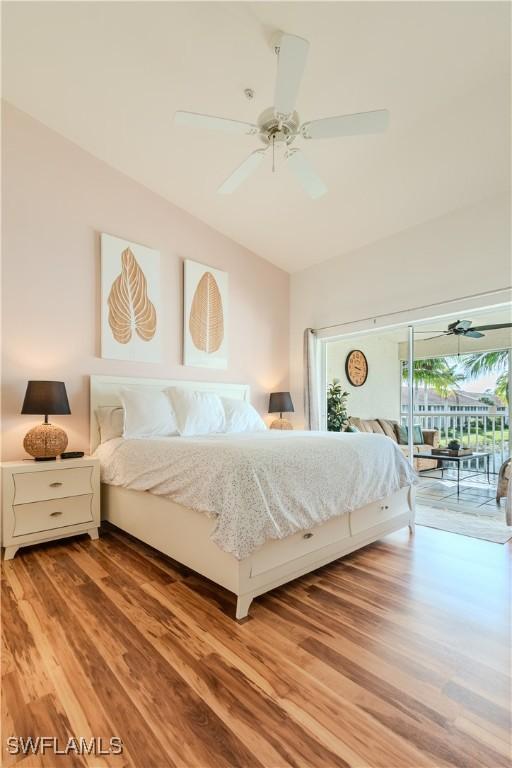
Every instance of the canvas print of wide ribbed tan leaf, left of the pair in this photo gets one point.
(130, 301)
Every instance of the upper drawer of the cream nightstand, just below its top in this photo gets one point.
(52, 484)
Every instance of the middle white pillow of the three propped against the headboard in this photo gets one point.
(197, 413)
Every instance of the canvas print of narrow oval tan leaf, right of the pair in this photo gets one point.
(205, 316)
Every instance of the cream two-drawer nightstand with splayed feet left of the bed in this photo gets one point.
(43, 501)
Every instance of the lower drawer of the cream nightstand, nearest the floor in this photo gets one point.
(47, 515)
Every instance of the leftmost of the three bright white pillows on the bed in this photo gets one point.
(147, 413)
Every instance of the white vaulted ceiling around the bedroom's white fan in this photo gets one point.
(110, 75)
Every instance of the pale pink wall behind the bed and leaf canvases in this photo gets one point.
(56, 200)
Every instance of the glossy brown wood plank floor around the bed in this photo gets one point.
(396, 656)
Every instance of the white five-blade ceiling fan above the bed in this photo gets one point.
(281, 125)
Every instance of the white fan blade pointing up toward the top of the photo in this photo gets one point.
(292, 56)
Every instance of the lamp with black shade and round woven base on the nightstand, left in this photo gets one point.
(46, 441)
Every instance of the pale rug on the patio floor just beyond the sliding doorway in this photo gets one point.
(491, 527)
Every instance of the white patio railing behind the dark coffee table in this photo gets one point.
(480, 431)
